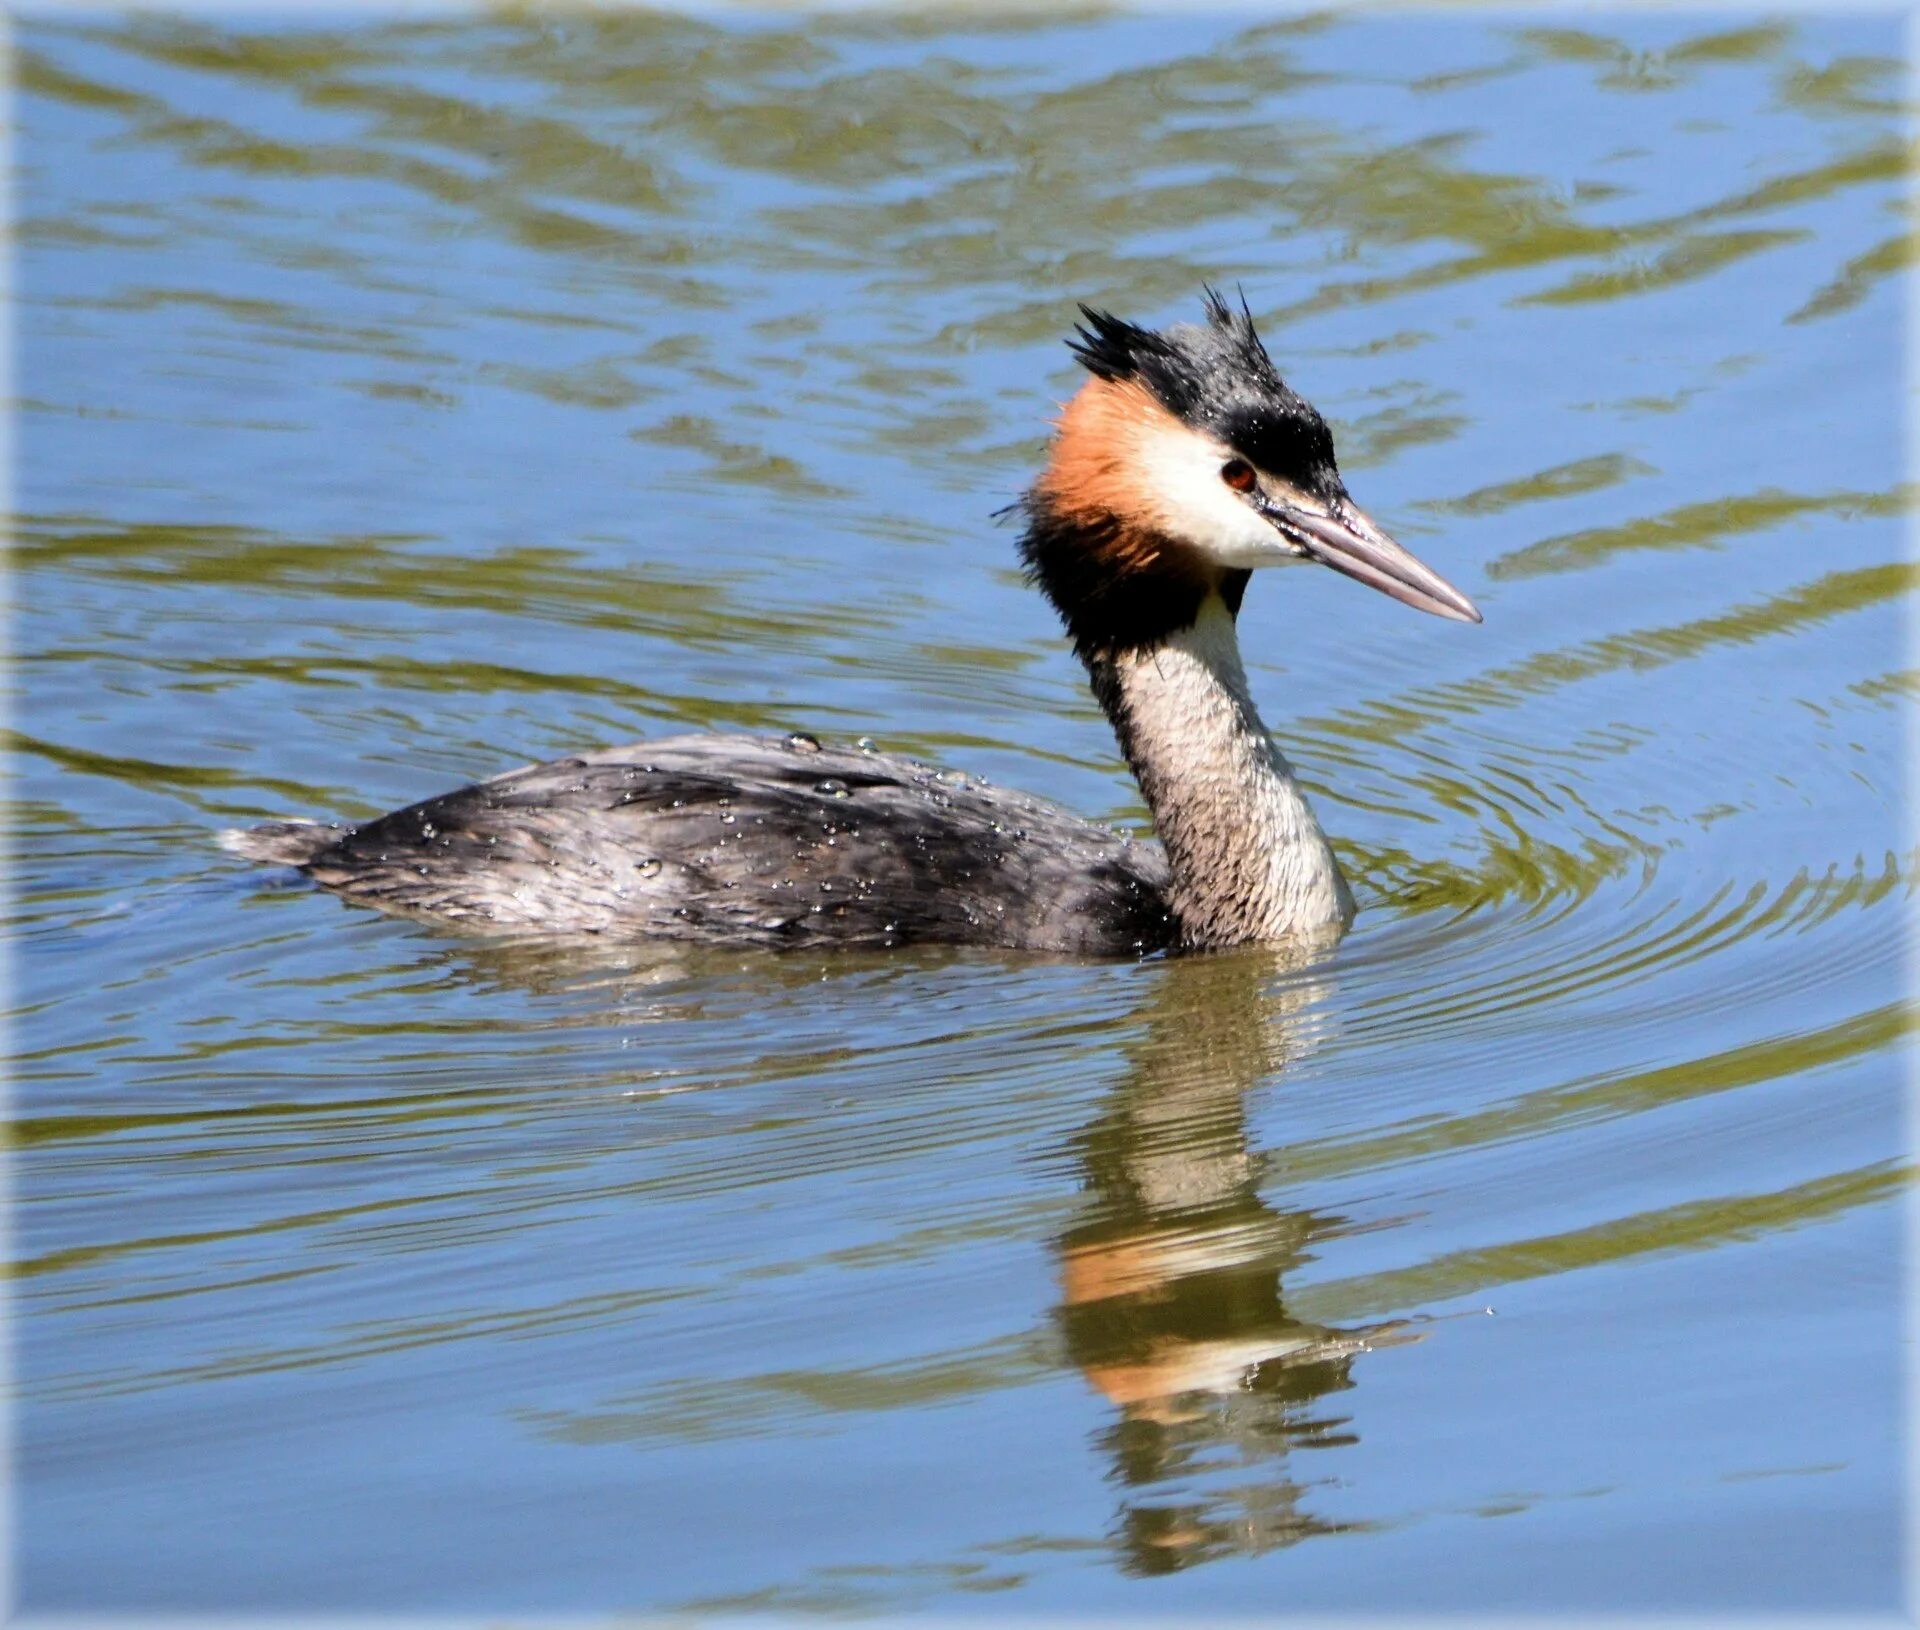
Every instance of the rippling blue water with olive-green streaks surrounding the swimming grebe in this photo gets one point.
(406, 400)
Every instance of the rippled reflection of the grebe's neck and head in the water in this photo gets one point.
(1172, 1283)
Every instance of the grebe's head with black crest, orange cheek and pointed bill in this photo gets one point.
(1182, 466)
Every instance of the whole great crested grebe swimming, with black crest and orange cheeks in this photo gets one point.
(1180, 467)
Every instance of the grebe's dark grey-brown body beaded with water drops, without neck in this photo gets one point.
(746, 840)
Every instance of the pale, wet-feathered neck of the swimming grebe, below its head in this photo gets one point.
(1247, 857)
